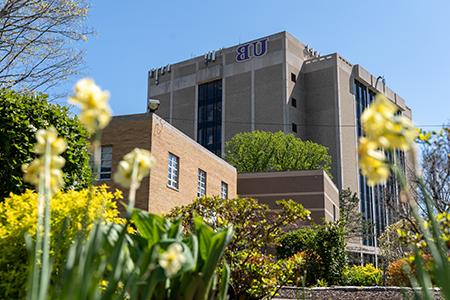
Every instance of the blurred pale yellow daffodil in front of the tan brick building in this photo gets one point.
(139, 159)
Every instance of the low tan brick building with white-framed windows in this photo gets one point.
(183, 170)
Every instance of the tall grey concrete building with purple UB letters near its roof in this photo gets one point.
(277, 83)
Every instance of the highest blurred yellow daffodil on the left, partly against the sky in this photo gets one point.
(95, 111)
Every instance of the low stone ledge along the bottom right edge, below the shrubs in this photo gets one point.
(350, 292)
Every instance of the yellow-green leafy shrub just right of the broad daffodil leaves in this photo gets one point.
(257, 228)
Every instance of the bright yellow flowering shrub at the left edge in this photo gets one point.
(18, 215)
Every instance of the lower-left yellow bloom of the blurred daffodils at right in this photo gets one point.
(372, 162)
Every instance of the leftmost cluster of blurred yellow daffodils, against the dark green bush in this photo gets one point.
(48, 144)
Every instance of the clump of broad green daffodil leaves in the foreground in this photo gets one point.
(115, 264)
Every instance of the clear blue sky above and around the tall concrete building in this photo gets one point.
(407, 41)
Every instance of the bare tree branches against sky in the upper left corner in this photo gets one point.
(36, 42)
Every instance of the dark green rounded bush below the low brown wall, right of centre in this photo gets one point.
(323, 248)
